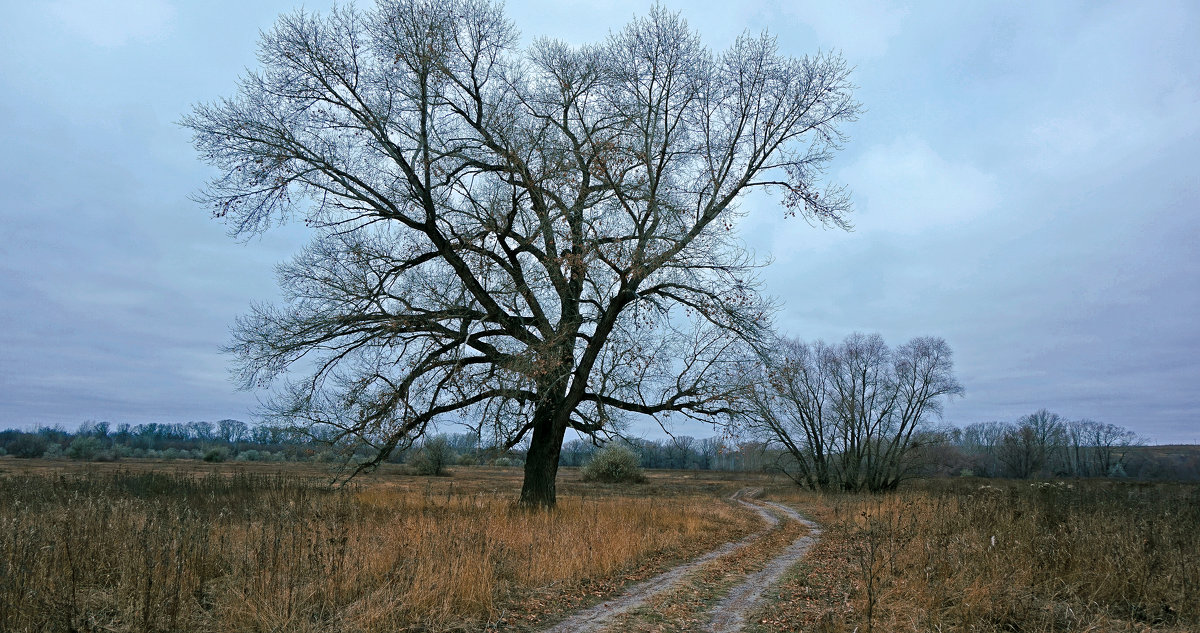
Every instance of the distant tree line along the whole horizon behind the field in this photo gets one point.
(1042, 445)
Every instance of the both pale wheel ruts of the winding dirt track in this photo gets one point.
(731, 613)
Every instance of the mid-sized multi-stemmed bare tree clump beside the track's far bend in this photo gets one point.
(853, 415)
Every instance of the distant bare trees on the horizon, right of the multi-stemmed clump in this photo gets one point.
(1046, 444)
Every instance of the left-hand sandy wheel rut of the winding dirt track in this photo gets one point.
(598, 617)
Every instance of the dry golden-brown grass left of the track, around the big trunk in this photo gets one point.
(154, 548)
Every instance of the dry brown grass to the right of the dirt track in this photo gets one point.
(975, 557)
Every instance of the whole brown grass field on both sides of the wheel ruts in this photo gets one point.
(188, 546)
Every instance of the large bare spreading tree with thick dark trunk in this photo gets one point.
(527, 240)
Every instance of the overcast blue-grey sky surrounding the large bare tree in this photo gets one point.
(1027, 182)
